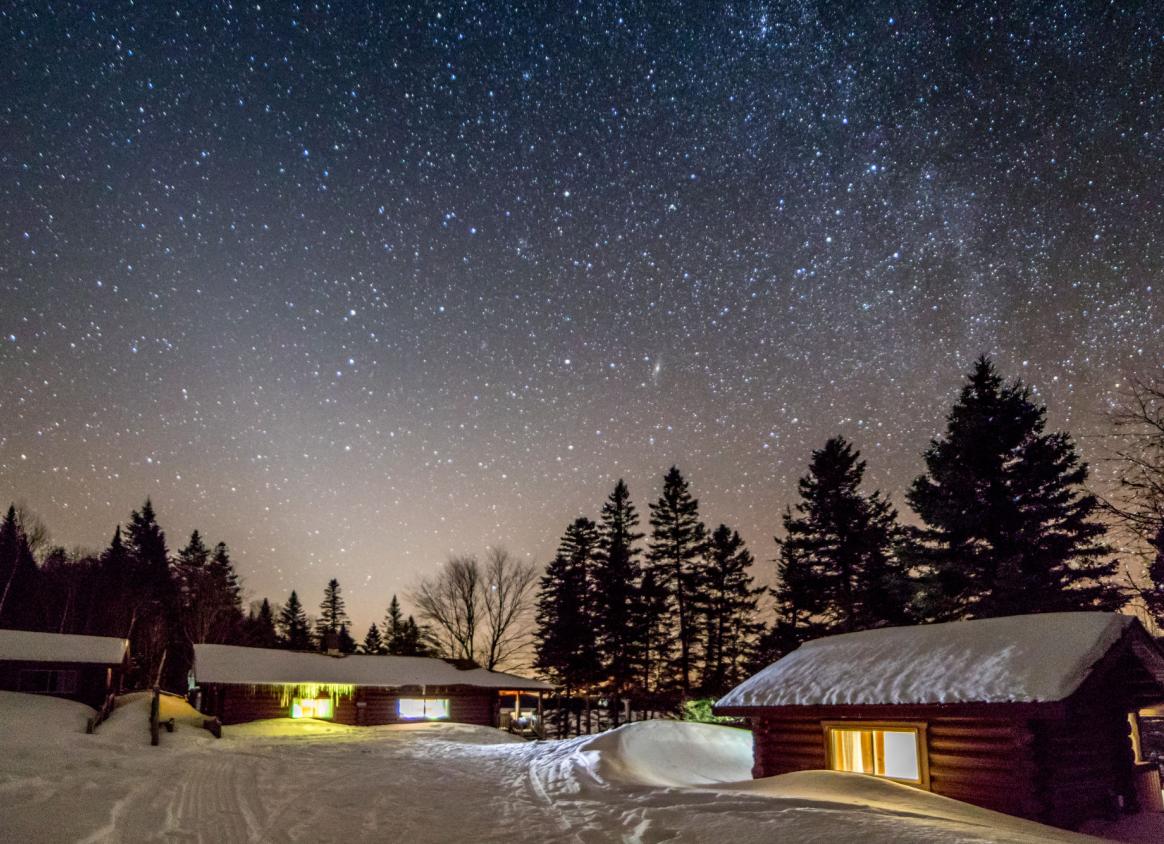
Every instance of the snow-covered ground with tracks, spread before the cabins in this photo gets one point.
(292, 781)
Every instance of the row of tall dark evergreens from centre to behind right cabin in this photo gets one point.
(1006, 528)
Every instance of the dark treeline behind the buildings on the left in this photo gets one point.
(166, 604)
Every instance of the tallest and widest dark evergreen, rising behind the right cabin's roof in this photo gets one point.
(1009, 529)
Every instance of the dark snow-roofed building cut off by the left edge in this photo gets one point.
(86, 669)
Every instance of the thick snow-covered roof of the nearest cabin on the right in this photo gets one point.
(1038, 658)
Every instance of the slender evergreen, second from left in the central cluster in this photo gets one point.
(616, 573)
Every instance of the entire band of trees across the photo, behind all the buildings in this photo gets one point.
(668, 611)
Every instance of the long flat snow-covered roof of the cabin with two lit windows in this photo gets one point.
(230, 664)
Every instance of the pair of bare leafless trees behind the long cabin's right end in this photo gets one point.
(479, 612)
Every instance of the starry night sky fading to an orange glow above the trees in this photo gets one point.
(356, 286)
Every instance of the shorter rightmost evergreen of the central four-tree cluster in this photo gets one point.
(728, 602)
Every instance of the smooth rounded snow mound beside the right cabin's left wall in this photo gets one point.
(671, 754)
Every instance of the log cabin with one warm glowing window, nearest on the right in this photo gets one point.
(1037, 717)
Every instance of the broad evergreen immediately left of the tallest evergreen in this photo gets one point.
(837, 569)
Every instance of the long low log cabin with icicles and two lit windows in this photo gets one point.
(249, 684)
